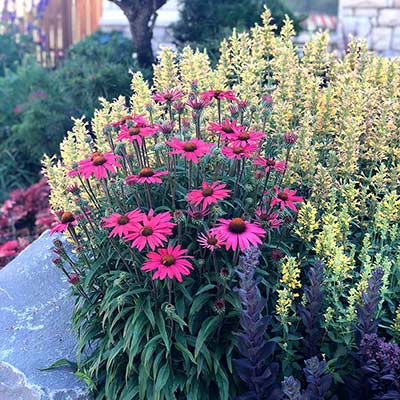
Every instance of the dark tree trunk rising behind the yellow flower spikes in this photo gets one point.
(141, 15)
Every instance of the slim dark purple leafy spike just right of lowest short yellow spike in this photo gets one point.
(310, 313)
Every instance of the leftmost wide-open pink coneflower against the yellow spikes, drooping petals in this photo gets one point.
(98, 164)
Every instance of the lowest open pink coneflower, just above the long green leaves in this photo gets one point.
(169, 262)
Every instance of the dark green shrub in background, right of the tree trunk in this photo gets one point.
(203, 24)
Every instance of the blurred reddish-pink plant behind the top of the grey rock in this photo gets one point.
(23, 217)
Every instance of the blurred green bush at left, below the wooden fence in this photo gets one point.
(42, 102)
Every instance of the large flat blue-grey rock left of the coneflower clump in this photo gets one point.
(35, 329)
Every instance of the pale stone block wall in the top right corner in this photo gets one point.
(376, 20)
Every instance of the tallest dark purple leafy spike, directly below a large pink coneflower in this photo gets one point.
(252, 368)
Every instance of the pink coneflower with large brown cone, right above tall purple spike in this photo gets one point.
(239, 233)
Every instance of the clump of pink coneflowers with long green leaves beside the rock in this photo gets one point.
(162, 215)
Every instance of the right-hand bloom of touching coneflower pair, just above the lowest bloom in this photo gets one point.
(151, 230)
